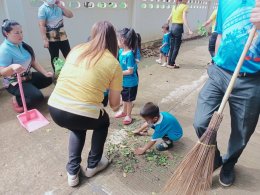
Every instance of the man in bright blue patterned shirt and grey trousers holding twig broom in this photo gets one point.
(233, 27)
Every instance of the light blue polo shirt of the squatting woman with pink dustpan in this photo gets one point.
(13, 54)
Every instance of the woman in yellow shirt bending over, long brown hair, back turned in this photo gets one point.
(76, 102)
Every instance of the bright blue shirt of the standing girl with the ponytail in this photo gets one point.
(127, 61)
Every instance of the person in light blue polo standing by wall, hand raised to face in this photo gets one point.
(54, 37)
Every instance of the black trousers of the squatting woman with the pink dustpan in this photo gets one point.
(31, 88)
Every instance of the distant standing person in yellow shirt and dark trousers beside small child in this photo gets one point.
(177, 18)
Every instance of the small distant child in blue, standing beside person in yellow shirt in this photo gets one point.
(165, 48)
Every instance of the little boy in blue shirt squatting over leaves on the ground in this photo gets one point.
(165, 126)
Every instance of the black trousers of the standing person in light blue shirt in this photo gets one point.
(55, 47)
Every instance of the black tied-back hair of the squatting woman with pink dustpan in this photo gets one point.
(7, 27)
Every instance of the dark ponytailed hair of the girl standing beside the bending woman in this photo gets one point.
(130, 38)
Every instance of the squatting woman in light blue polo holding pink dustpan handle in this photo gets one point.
(18, 57)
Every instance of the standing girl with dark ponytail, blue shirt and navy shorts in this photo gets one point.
(127, 42)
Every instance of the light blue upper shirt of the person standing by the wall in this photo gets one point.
(53, 15)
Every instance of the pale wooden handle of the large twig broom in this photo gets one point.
(237, 70)
